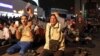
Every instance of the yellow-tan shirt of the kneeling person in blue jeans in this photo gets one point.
(25, 31)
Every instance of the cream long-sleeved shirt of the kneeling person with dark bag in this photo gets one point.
(55, 34)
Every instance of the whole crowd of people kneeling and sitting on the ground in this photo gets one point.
(57, 33)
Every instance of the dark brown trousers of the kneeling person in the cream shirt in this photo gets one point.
(50, 53)
